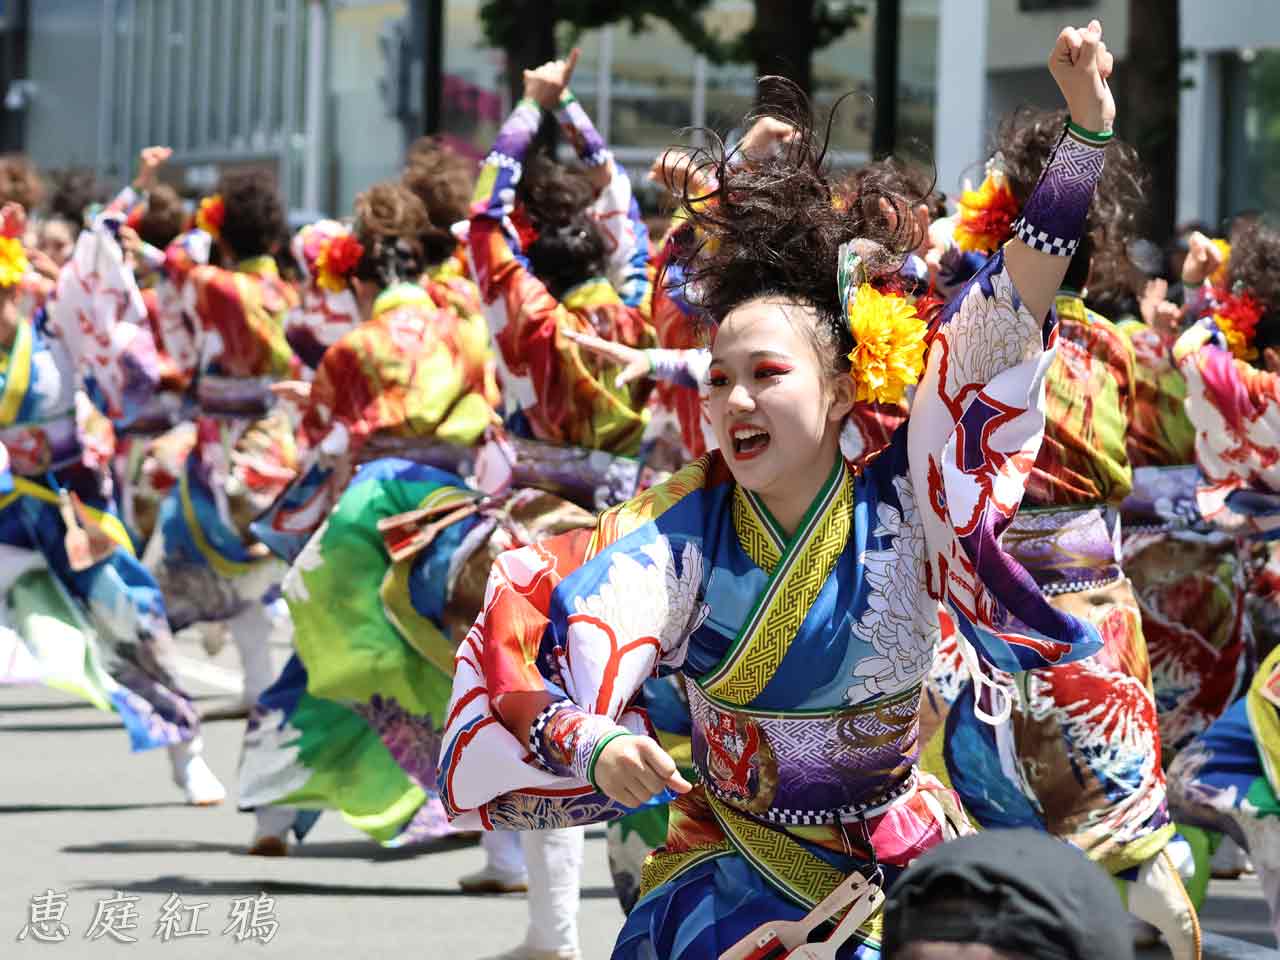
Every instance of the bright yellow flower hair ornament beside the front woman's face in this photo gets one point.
(889, 335)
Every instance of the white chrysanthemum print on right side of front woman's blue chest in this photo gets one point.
(902, 620)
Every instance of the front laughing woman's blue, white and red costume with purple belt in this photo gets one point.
(801, 784)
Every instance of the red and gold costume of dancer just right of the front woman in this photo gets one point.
(1080, 756)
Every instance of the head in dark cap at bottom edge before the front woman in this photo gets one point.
(1005, 895)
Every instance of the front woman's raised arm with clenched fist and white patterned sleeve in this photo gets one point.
(979, 420)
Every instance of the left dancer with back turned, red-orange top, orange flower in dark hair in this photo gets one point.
(203, 554)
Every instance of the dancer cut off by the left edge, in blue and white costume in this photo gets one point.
(57, 504)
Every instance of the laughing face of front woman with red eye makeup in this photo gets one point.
(775, 410)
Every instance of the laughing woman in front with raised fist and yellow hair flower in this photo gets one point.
(798, 597)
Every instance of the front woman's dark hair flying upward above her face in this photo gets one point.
(774, 226)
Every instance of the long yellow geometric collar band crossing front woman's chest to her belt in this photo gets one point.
(790, 595)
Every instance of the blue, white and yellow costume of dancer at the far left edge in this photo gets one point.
(98, 627)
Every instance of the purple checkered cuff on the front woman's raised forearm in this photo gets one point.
(1055, 214)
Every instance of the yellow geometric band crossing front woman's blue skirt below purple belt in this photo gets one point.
(793, 871)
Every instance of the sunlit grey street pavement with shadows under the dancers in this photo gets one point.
(80, 816)
